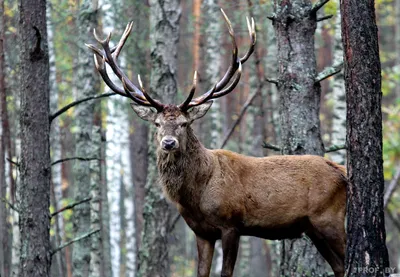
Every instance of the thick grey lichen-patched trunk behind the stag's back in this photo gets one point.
(295, 26)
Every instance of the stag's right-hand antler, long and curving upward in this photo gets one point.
(235, 69)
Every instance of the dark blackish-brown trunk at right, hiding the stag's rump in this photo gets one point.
(366, 252)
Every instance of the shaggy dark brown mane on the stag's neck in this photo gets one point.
(184, 173)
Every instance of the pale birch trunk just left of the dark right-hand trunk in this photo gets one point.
(339, 96)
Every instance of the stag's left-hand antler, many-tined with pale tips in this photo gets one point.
(110, 55)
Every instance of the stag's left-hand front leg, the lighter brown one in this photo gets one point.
(205, 249)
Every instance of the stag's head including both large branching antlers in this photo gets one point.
(172, 121)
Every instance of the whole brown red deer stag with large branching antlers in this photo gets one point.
(225, 195)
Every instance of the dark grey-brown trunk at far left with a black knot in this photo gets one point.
(34, 190)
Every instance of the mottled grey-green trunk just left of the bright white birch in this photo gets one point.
(87, 84)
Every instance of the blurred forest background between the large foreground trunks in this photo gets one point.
(114, 163)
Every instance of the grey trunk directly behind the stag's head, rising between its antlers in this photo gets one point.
(164, 18)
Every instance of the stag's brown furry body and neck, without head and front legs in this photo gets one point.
(278, 197)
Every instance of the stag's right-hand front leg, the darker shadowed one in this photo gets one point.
(230, 245)
